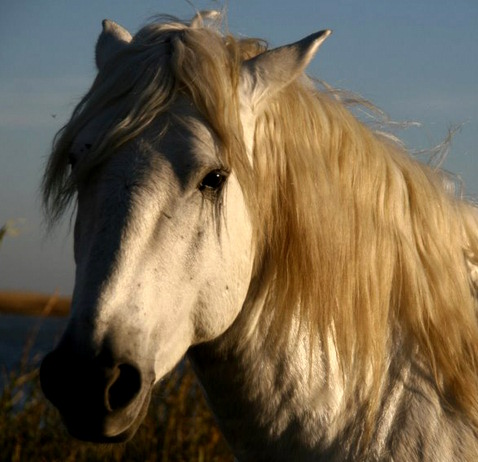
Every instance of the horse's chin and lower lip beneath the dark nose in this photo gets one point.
(116, 427)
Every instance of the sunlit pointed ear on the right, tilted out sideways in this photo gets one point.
(269, 72)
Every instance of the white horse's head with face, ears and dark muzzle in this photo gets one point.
(164, 242)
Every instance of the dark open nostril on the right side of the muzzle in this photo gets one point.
(123, 388)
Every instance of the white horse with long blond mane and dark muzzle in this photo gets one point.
(320, 279)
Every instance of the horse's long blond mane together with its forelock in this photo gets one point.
(354, 237)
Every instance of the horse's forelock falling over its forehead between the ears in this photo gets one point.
(162, 62)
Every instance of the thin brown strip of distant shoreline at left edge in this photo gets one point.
(33, 304)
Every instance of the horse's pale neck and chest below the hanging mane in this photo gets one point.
(280, 403)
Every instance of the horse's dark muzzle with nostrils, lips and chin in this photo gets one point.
(99, 400)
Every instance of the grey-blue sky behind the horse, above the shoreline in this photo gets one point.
(416, 60)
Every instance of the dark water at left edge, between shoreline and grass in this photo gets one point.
(17, 332)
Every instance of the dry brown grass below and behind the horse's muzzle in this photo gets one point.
(178, 427)
